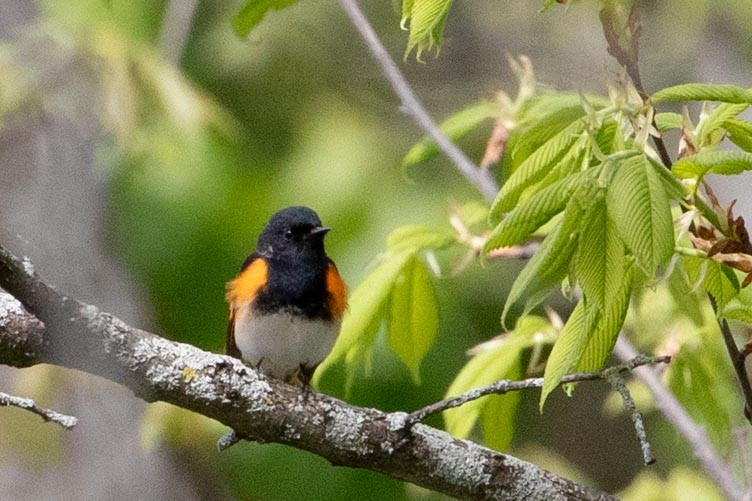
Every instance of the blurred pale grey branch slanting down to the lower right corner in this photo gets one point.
(669, 406)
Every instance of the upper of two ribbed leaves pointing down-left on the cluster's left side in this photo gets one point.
(535, 167)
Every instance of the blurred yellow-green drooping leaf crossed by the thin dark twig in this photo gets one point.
(502, 361)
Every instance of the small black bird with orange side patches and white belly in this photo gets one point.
(287, 303)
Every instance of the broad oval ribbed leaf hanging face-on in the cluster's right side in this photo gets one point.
(637, 203)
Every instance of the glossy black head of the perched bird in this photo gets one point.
(293, 233)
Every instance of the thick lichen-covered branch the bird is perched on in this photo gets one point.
(79, 336)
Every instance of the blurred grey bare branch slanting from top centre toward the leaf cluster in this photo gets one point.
(480, 178)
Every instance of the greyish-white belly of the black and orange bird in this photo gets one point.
(281, 342)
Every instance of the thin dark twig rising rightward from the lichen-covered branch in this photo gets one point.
(505, 386)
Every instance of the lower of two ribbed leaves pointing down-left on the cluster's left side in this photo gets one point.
(535, 211)
